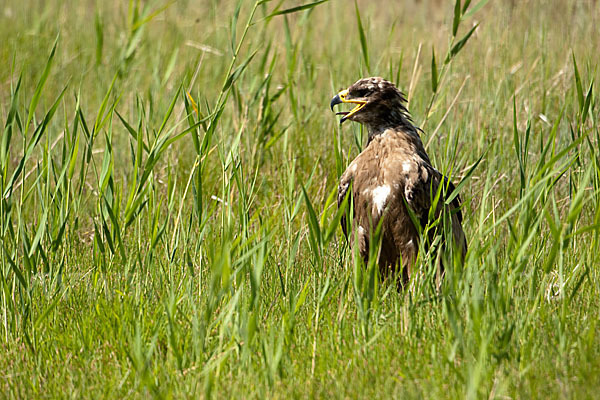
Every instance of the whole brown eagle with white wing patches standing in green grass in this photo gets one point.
(392, 184)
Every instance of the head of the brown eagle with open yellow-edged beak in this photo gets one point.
(378, 103)
